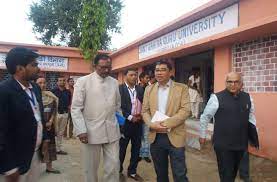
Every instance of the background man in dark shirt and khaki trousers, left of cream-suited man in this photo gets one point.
(64, 97)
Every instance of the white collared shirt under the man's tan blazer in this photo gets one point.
(163, 92)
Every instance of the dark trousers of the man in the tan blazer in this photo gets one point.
(160, 150)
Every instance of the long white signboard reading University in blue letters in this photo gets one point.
(218, 22)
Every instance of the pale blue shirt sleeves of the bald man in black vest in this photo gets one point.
(210, 111)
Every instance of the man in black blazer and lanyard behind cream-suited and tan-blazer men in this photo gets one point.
(131, 102)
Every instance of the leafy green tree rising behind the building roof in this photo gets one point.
(87, 24)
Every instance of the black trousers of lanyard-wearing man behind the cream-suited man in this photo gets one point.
(135, 138)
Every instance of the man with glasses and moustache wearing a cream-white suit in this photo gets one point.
(96, 99)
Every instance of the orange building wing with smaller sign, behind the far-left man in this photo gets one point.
(54, 61)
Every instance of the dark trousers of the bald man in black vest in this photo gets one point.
(228, 163)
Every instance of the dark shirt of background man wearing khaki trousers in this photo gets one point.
(64, 99)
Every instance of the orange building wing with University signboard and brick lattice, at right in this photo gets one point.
(216, 38)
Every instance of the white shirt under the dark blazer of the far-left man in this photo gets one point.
(35, 107)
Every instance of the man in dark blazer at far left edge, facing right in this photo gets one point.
(22, 133)
